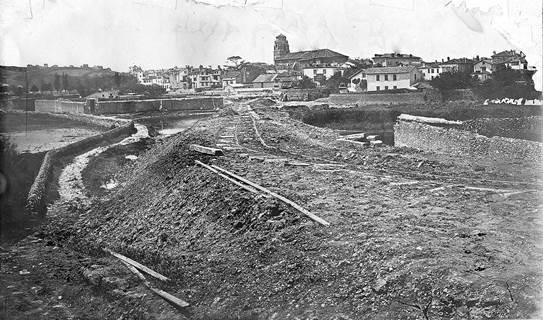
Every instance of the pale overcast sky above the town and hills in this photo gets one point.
(165, 33)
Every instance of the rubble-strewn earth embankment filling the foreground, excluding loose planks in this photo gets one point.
(412, 235)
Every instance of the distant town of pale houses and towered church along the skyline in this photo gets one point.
(387, 71)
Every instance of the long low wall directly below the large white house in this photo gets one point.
(361, 99)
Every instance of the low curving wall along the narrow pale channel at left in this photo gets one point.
(37, 196)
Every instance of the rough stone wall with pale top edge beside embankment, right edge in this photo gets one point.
(459, 142)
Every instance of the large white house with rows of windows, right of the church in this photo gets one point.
(391, 78)
